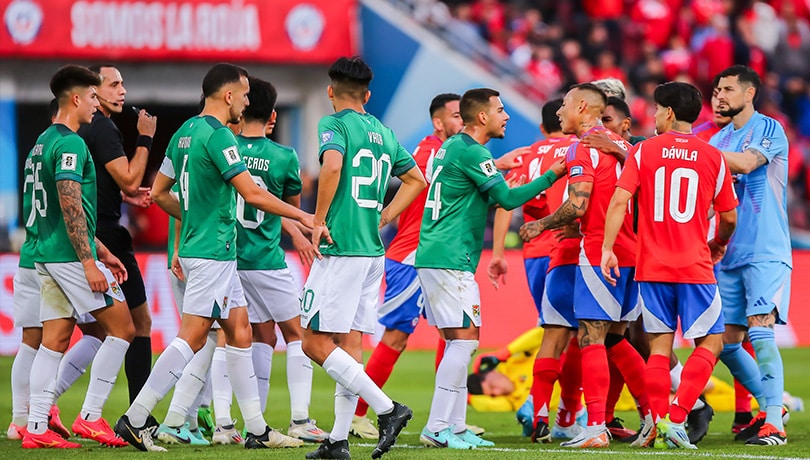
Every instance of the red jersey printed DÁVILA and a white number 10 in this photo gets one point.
(678, 178)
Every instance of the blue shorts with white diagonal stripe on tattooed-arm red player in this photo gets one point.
(595, 299)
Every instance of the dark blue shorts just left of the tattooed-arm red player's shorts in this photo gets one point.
(558, 304)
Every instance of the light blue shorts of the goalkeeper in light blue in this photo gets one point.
(755, 289)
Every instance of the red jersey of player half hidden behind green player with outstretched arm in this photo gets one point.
(403, 247)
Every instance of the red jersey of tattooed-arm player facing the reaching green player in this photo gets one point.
(591, 165)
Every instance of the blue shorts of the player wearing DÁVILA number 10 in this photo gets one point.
(697, 305)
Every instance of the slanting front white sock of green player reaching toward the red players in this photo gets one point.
(451, 377)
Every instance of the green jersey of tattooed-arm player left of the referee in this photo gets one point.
(60, 154)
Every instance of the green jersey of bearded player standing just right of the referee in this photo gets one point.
(204, 156)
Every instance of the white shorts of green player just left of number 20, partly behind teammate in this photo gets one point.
(270, 295)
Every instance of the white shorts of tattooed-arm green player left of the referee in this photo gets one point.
(67, 280)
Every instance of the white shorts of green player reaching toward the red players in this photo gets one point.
(451, 298)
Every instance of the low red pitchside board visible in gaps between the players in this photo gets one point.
(506, 312)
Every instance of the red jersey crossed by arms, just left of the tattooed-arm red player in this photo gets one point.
(543, 154)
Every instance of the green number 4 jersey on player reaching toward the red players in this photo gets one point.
(452, 234)
